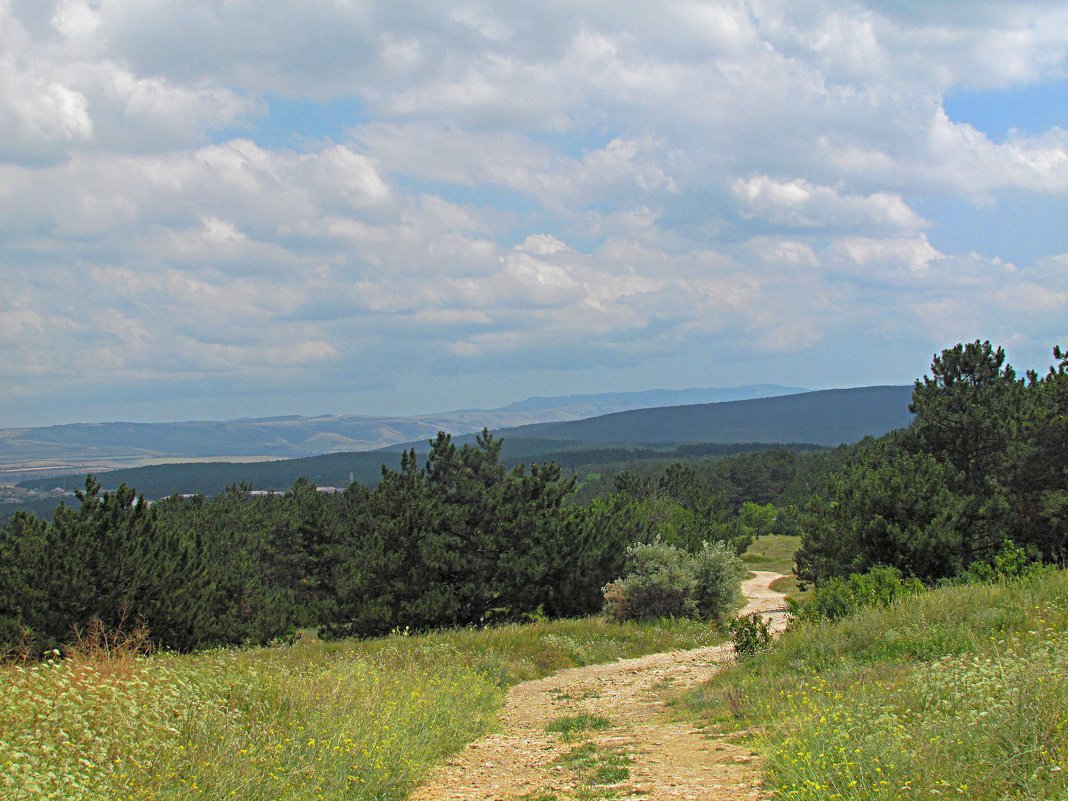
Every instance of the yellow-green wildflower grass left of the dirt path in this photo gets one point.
(350, 720)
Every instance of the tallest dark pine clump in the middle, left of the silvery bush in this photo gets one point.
(463, 541)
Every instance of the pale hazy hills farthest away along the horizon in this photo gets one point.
(99, 447)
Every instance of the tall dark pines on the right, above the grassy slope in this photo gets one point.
(985, 462)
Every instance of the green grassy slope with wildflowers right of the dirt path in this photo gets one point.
(961, 693)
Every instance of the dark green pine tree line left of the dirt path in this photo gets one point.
(459, 540)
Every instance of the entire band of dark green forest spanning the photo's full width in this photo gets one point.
(464, 540)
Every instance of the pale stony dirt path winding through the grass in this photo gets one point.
(669, 760)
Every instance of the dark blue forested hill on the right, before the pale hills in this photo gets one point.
(825, 418)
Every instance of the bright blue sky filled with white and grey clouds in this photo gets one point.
(213, 210)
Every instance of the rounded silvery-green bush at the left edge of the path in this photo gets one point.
(666, 582)
